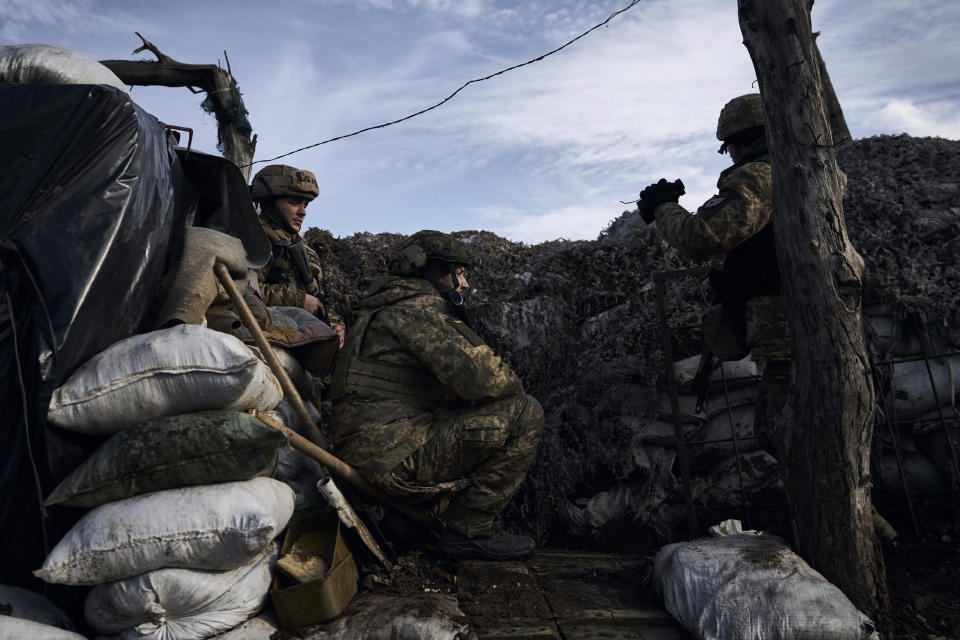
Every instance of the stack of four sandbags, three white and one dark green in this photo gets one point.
(179, 540)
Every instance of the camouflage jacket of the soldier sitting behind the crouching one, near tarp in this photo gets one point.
(278, 277)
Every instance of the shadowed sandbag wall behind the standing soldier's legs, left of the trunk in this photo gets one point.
(717, 477)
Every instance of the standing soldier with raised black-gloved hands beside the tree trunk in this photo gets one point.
(737, 224)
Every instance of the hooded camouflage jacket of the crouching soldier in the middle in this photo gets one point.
(406, 362)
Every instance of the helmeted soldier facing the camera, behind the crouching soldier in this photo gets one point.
(292, 276)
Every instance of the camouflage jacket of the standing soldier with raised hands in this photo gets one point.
(742, 208)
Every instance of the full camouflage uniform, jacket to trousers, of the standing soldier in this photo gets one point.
(736, 224)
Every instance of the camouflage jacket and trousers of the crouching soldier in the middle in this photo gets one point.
(427, 411)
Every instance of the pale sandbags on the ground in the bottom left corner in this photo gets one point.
(26, 614)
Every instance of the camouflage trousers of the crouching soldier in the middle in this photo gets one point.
(492, 446)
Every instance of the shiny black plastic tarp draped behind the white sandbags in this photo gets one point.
(92, 206)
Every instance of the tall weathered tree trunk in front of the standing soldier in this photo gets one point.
(828, 425)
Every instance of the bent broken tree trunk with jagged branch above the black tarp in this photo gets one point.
(232, 127)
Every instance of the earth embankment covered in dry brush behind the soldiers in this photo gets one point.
(579, 321)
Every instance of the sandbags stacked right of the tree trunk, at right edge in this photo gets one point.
(918, 396)
